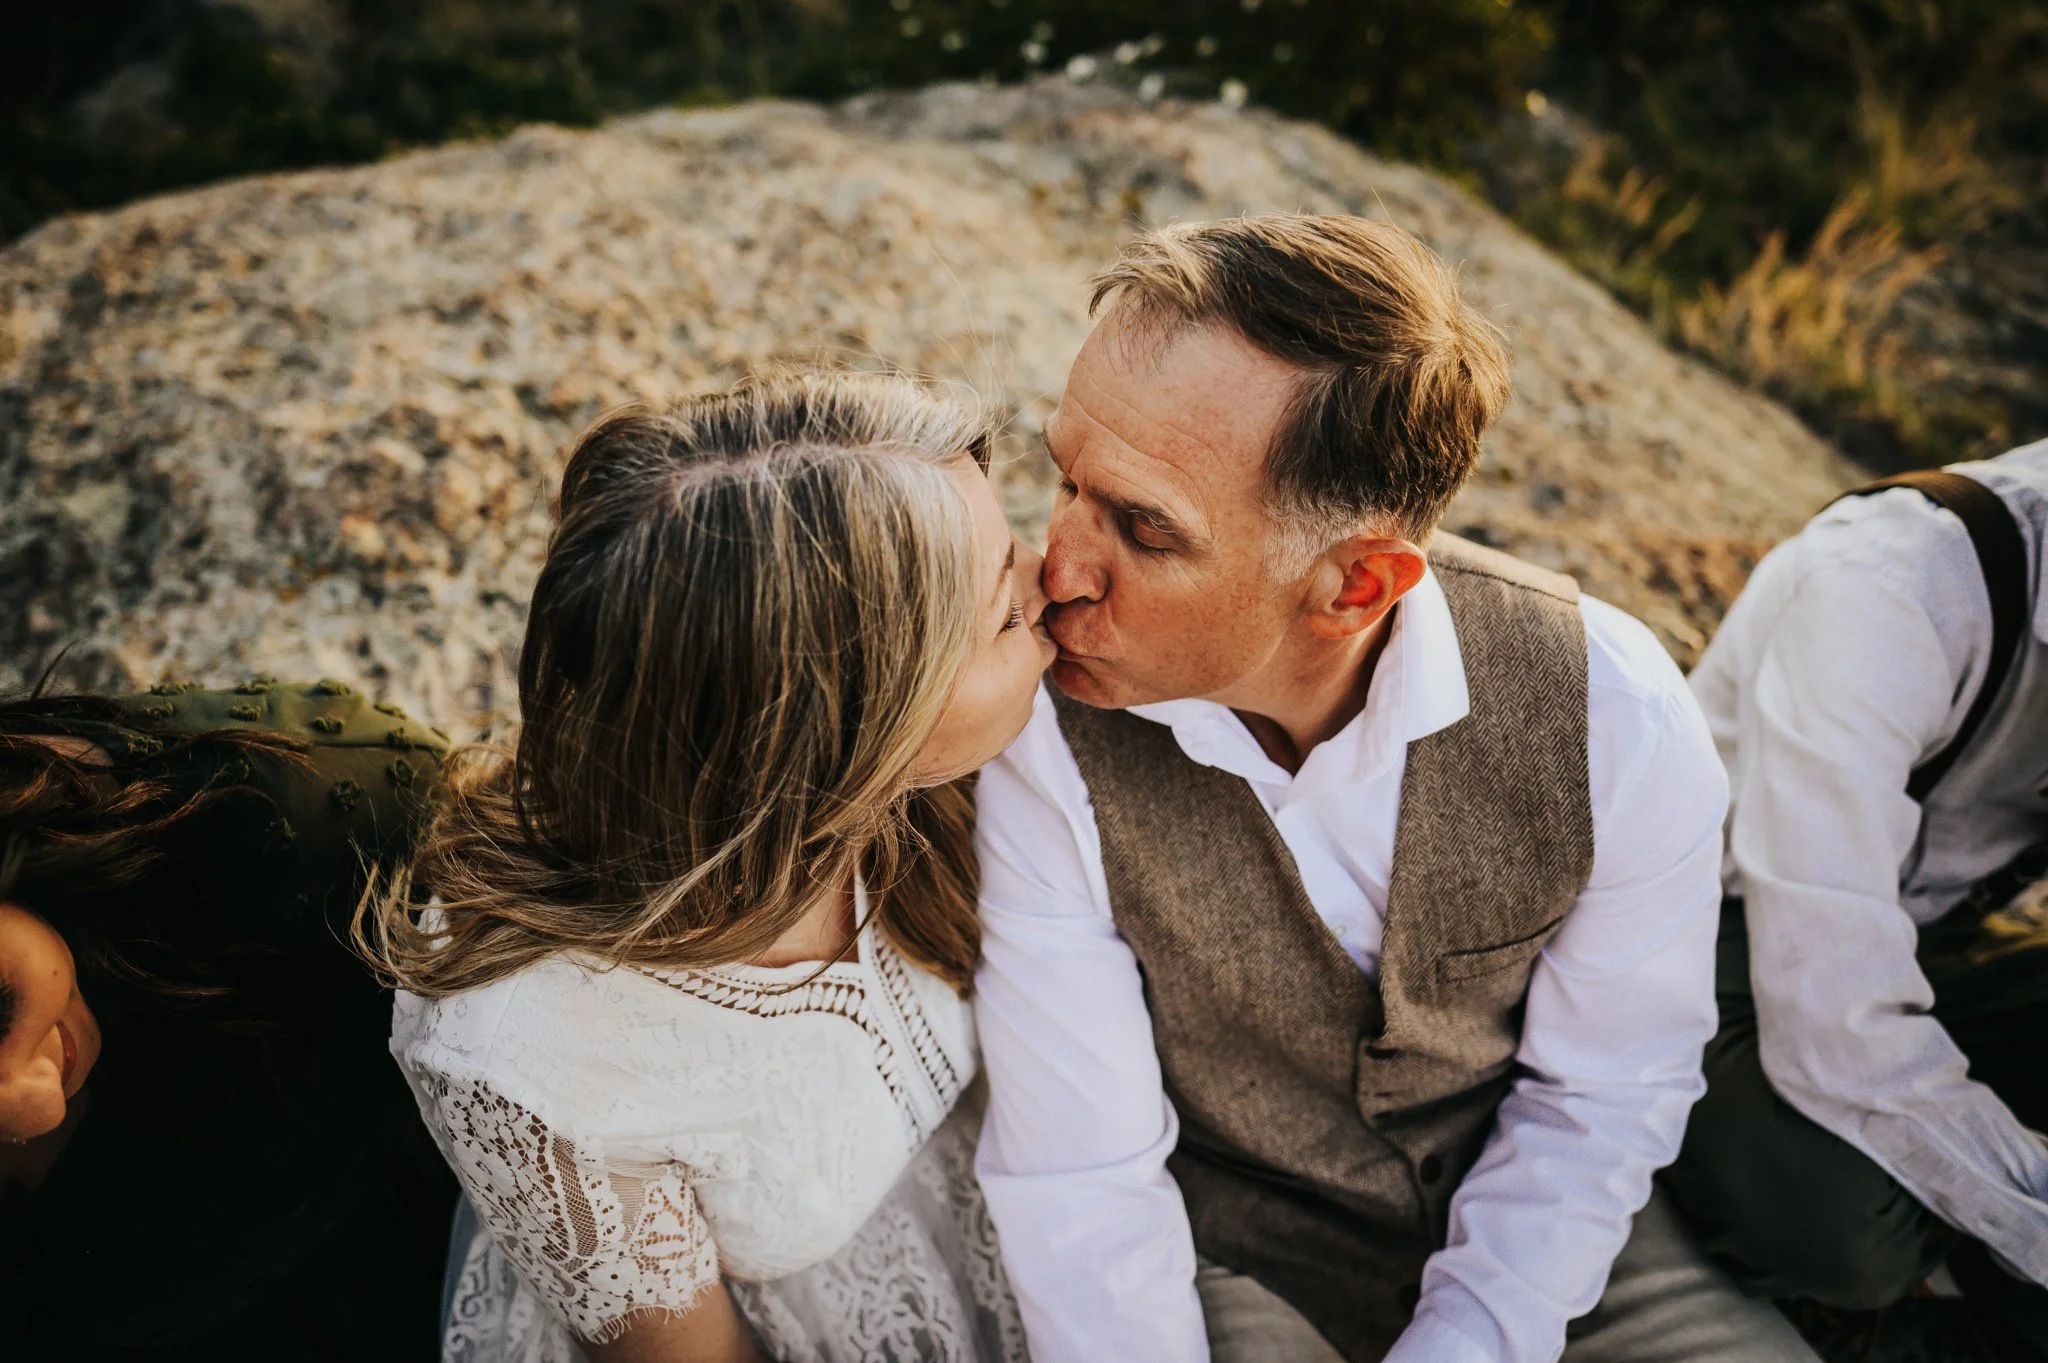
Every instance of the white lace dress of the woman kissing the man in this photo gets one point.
(630, 1137)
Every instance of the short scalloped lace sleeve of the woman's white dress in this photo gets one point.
(595, 1239)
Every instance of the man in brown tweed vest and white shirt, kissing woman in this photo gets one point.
(1351, 918)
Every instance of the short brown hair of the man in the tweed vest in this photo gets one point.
(1400, 376)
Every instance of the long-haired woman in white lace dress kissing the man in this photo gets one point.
(689, 1014)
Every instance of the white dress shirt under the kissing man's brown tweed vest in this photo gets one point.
(1619, 1010)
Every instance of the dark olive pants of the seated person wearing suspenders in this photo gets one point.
(1795, 1213)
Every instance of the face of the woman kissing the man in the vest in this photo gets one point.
(994, 697)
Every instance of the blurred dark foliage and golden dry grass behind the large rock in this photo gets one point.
(1766, 183)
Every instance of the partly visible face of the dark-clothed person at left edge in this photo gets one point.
(54, 1041)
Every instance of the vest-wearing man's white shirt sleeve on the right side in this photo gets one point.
(1621, 1008)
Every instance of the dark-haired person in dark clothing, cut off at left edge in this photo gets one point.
(204, 1147)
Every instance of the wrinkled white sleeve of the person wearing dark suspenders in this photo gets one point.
(1854, 685)
